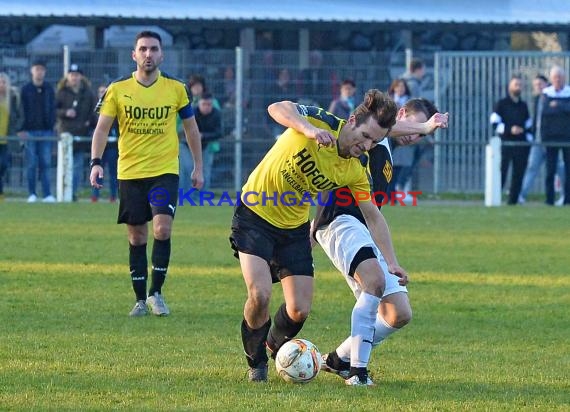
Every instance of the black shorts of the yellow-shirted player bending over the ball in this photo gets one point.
(287, 251)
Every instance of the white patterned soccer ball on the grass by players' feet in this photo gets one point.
(298, 361)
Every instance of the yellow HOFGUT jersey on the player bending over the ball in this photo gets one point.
(295, 169)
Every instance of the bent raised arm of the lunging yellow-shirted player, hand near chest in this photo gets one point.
(287, 114)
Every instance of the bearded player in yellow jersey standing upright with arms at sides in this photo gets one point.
(146, 105)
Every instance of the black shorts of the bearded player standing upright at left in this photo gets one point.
(141, 199)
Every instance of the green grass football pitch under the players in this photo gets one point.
(490, 290)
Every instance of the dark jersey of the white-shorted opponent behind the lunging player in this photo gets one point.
(379, 162)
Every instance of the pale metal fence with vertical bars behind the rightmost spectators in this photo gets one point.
(467, 85)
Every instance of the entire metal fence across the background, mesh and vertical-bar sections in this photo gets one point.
(464, 84)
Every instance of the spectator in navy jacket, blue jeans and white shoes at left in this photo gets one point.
(38, 106)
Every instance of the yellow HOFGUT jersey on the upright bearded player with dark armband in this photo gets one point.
(148, 141)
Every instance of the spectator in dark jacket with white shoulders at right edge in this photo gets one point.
(555, 128)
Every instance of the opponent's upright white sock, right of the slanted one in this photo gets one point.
(362, 329)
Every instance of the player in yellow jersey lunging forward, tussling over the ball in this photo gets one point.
(270, 228)
